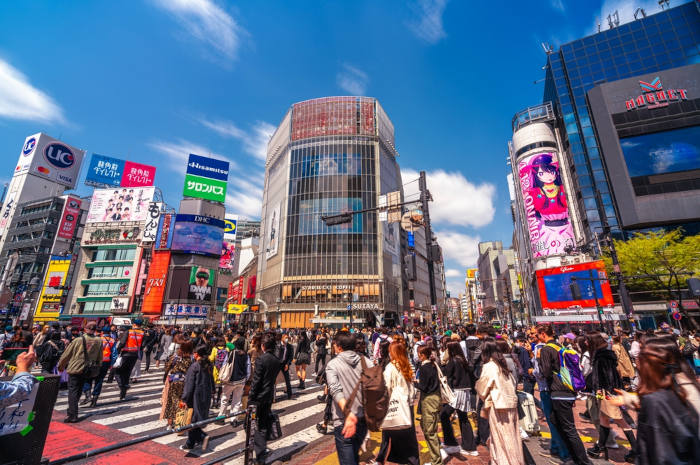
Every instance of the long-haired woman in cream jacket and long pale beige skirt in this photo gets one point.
(497, 389)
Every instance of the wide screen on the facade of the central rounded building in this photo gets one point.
(311, 211)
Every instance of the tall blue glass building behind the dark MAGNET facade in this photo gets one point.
(665, 40)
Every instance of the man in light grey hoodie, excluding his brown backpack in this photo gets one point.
(343, 374)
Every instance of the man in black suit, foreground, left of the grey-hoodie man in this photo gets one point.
(262, 393)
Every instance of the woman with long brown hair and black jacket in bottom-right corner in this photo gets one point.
(668, 403)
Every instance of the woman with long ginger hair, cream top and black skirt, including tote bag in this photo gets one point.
(399, 442)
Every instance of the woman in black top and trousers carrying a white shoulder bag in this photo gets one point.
(458, 376)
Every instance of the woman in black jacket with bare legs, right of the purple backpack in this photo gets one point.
(604, 380)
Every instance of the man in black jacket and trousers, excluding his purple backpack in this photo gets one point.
(563, 397)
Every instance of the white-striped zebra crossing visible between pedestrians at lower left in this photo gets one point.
(138, 414)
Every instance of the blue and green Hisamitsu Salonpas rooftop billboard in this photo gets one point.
(206, 178)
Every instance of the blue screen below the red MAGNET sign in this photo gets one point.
(662, 152)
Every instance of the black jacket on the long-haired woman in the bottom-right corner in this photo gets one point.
(668, 431)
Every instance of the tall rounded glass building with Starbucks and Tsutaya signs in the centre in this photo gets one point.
(330, 155)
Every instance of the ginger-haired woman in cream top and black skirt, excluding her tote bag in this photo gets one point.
(399, 445)
